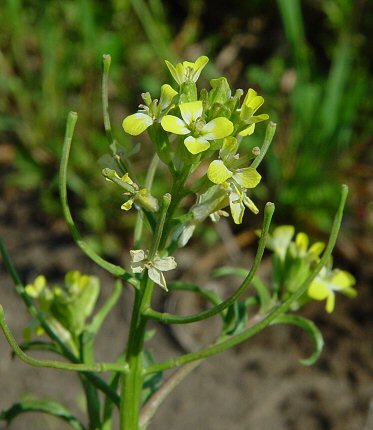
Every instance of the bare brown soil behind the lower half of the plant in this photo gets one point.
(257, 386)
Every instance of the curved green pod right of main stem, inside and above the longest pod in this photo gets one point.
(185, 319)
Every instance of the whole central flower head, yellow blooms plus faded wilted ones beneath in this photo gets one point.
(194, 131)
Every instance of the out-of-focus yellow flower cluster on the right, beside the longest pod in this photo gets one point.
(293, 261)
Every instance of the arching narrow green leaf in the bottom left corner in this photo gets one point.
(40, 405)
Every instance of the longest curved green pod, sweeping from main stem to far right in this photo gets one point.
(232, 341)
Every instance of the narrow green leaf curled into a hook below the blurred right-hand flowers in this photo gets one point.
(311, 329)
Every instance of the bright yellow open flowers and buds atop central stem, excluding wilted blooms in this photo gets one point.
(214, 122)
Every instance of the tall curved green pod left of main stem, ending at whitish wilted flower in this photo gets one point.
(111, 268)
